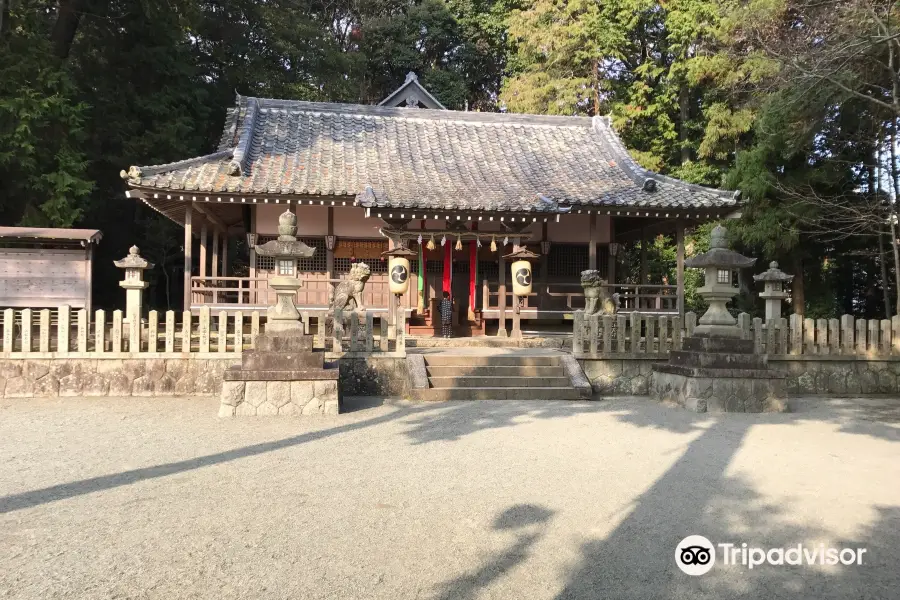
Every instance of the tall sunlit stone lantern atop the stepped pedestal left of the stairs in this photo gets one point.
(286, 251)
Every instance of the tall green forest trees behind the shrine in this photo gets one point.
(794, 103)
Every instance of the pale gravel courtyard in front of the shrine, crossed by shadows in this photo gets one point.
(158, 498)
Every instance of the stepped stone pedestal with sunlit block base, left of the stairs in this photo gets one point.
(283, 376)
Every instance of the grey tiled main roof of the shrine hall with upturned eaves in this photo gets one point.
(419, 158)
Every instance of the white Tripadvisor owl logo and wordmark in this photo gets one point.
(696, 555)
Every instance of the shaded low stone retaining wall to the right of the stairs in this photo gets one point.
(629, 375)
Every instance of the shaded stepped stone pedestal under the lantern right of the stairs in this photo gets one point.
(719, 374)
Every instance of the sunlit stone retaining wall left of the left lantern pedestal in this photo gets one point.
(48, 378)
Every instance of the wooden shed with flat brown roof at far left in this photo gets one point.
(46, 267)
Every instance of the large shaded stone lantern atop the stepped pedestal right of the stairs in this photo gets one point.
(718, 263)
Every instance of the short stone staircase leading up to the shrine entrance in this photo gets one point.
(501, 376)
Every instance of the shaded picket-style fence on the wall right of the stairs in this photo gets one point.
(640, 333)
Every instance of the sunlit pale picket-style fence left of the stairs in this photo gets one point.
(65, 333)
